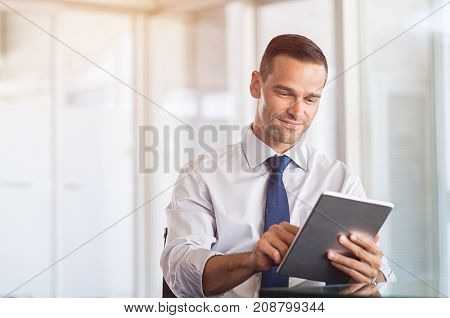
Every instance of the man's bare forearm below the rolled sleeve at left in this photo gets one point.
(224, 272)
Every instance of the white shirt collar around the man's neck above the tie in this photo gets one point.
(257, 152)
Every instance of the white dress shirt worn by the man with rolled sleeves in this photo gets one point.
(218, 207)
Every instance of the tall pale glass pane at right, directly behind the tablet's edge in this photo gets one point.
(400, 109)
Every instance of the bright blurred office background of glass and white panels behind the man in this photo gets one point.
(79, 77)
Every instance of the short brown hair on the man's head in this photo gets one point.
(294, 45)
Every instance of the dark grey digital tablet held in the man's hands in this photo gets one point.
(333, 214)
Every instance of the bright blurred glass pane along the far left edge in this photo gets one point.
(25, 147)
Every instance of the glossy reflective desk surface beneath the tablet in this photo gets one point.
(397, 289)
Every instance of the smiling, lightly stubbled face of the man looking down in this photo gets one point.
(288, 100)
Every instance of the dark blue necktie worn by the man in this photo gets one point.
(277, 211)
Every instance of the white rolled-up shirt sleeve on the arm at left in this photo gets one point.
(191, 235)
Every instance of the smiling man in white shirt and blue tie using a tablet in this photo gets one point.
(230, 226)
